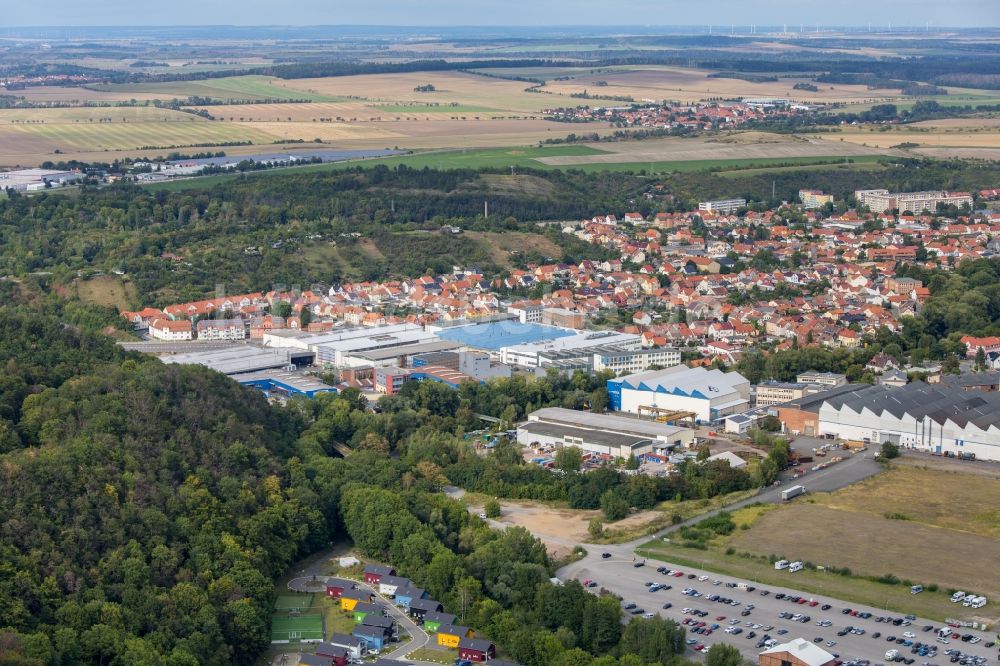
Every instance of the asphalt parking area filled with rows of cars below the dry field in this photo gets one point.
(618, 575)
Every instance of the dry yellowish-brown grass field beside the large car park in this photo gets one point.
(926, 526)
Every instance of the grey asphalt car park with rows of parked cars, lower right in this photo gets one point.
(753, 612)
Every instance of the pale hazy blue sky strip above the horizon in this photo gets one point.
(984, 13)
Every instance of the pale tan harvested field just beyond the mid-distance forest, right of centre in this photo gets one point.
(679, 150)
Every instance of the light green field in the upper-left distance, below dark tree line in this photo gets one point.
(226, 88)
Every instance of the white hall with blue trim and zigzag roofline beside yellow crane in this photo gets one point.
(709, 394)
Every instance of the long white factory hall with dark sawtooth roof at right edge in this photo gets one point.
(927, 417)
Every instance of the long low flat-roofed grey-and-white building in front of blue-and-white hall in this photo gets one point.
(617, 436)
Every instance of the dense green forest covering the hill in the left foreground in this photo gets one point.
(145, 509)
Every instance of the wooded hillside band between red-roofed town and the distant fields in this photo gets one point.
(257, 232)
